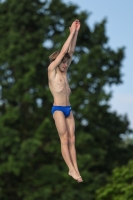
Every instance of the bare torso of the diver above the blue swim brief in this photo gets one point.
(59, 87)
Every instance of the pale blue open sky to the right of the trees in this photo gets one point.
(119, 30)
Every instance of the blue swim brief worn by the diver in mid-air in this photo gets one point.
(65, 109)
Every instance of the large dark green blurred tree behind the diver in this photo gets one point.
(31, 165)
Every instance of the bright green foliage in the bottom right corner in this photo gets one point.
(120, 184)
